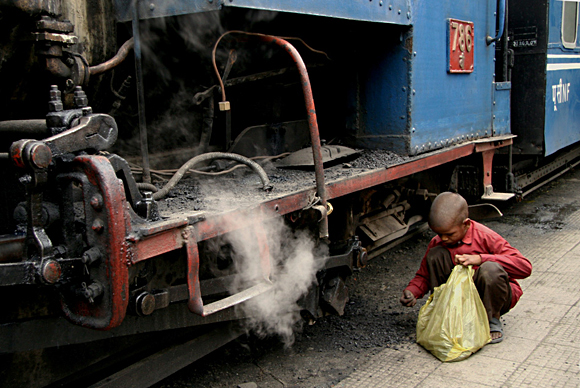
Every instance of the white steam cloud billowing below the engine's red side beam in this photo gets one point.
(294, 259)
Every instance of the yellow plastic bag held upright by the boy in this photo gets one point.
(453, 323)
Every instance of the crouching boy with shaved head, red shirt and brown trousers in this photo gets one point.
(461, 241)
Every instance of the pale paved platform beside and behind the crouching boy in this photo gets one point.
(541, 346)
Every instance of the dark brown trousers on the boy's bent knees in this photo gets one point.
(491, 280)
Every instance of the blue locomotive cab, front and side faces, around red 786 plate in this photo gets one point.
(413, 103)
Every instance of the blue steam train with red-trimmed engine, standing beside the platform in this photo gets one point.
(203, 162)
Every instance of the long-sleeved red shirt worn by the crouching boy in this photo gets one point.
(479, 240)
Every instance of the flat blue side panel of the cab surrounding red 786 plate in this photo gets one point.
(448, 107)
